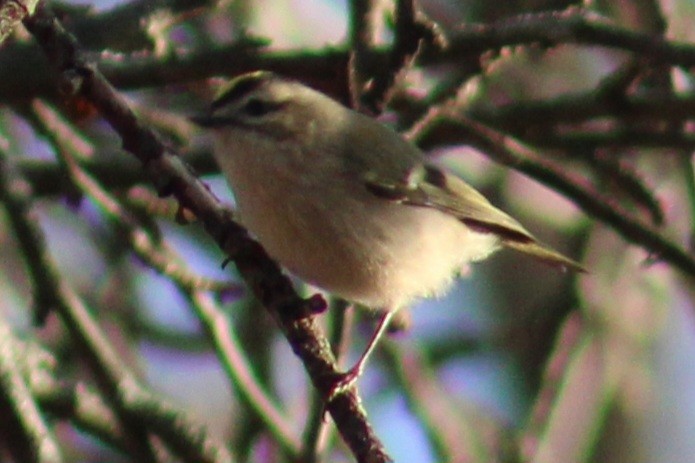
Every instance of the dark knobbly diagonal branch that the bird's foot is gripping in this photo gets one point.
(171, 176)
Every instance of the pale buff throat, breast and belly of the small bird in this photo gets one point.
(331, 232)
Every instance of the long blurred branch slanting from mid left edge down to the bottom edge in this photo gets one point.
(138, 409)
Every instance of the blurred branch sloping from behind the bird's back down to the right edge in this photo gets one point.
(510, 152)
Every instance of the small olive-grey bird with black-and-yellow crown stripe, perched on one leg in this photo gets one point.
(345, 203)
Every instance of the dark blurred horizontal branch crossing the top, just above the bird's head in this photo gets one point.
(23, 74)
